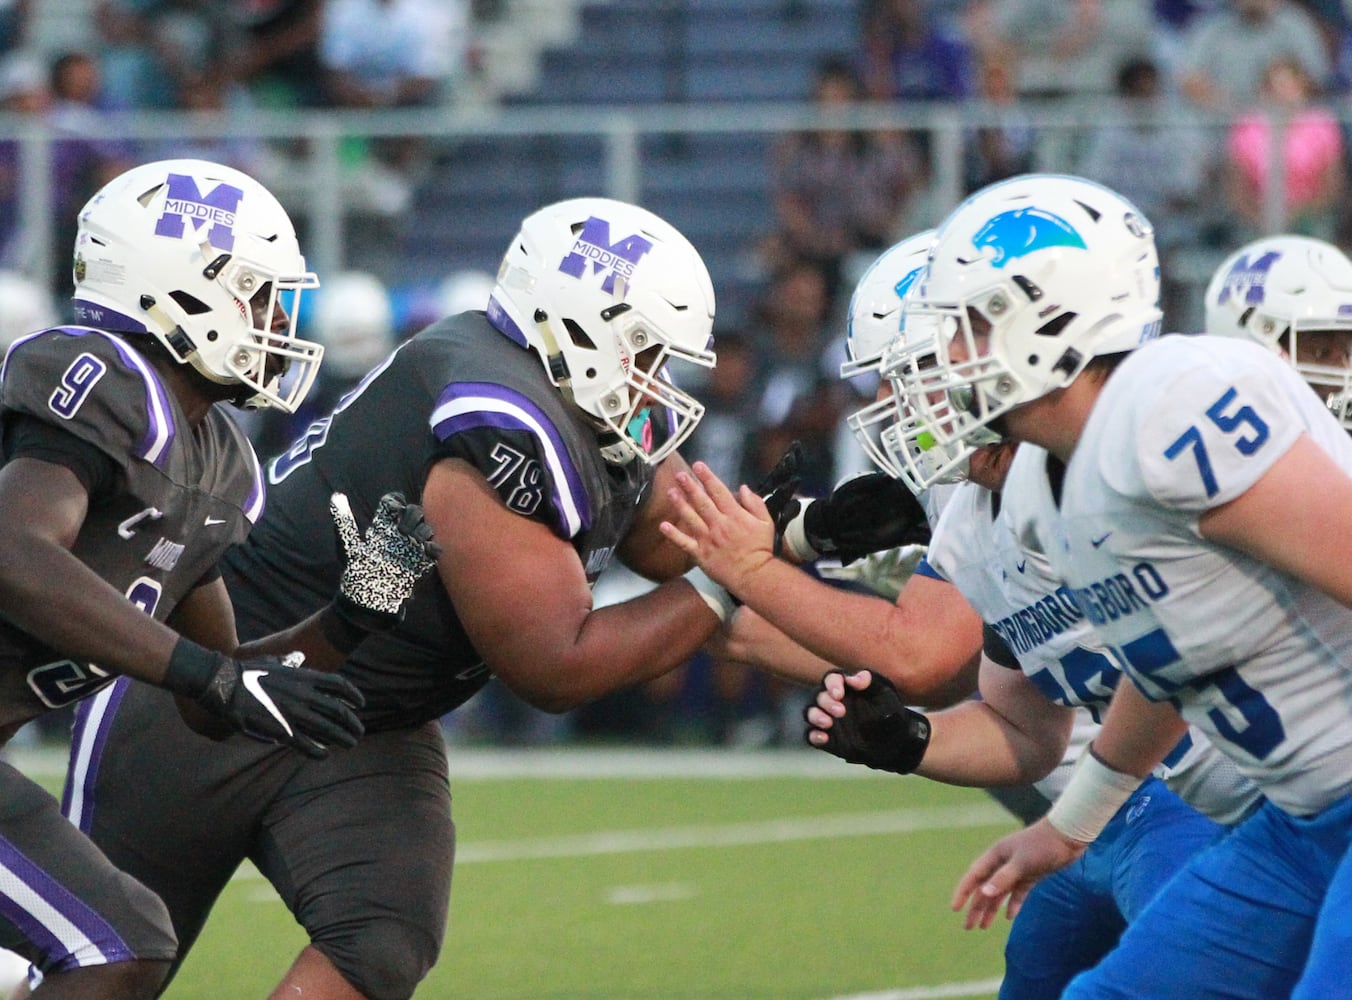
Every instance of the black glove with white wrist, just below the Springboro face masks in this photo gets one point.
(867, 514)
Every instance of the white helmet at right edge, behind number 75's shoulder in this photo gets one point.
(1280, 290)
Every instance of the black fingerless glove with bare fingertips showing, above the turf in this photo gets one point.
(877, 730)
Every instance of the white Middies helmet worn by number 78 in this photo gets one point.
(608, 294)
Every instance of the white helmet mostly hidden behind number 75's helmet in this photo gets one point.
(875, 322)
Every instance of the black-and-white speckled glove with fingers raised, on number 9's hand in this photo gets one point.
(383, 566)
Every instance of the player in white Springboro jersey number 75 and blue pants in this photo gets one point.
(1194, 495)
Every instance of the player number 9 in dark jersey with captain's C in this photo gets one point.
(122, 483)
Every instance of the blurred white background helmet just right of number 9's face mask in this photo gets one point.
(355, 321)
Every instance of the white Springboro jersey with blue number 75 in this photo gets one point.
(1254, 657)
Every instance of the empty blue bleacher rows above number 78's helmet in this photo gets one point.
(640, 53)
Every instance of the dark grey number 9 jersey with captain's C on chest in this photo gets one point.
(183, 494)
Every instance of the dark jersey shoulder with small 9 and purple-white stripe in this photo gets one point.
(95, 386)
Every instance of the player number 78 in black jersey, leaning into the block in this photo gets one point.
(540, 436)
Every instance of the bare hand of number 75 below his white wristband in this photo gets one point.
(1009, 870)
